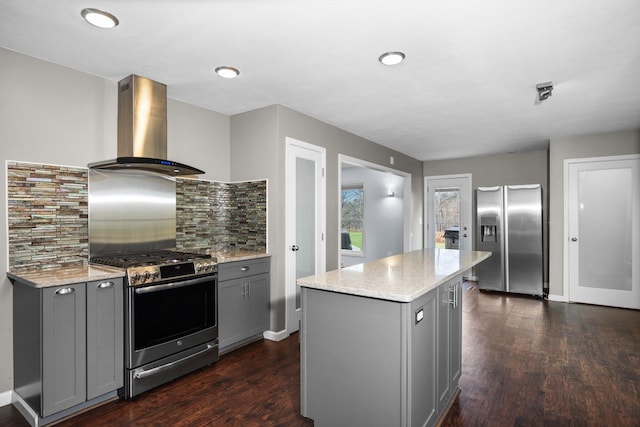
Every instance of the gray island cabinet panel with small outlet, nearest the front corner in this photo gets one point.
(422, 360)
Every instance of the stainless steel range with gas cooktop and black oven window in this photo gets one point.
(171, 315)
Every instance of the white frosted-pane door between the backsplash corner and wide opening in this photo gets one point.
(305, 220)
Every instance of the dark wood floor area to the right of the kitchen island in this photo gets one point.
(528, 362)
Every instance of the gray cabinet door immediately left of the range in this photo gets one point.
(105, 354)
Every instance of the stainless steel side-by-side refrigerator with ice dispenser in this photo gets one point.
(509, 224)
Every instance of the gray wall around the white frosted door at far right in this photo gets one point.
(606, 144)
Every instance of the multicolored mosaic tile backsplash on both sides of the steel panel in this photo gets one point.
(48, 215)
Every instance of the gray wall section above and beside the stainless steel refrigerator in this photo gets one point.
(527, 167)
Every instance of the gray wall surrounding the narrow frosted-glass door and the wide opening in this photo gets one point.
(258, 150)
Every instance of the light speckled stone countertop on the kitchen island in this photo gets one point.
(401, 278)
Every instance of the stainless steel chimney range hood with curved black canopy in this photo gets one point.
(142, 130)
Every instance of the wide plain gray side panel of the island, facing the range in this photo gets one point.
(355, 345)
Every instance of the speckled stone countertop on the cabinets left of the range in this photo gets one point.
(43, 278)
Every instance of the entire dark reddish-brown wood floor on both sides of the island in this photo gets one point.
(526, 362)
